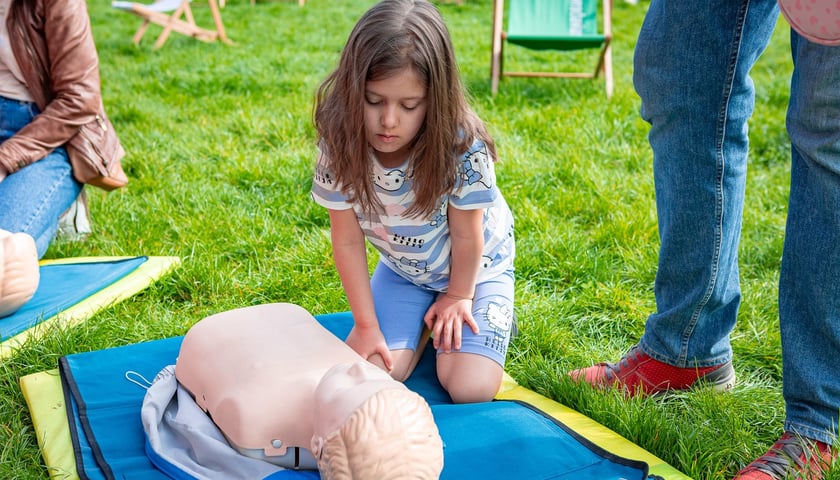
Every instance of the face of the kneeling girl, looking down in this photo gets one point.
(395, 109)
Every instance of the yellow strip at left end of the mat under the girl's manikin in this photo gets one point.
(45, 399)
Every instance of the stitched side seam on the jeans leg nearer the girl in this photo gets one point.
(720, 161)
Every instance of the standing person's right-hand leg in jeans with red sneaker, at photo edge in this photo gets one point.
(809, 290)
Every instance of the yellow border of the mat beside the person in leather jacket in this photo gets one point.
(149, 271)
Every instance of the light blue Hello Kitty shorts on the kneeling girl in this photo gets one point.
(401, 305)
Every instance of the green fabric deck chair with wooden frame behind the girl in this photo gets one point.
(552, 25)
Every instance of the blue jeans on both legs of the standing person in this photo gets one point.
(691, 70)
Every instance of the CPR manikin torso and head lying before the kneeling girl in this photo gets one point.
(283, 389)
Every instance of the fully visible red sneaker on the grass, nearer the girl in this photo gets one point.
(640, 374)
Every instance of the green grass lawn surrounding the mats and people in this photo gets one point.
(220, 152)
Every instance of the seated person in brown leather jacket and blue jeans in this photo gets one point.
(54, 134)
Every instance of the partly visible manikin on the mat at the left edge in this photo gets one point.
(19, 274)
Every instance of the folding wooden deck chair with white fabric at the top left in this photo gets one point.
(167, 14)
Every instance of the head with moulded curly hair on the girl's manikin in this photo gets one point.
(368, 425)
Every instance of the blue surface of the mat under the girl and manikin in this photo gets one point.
(504, 439)
